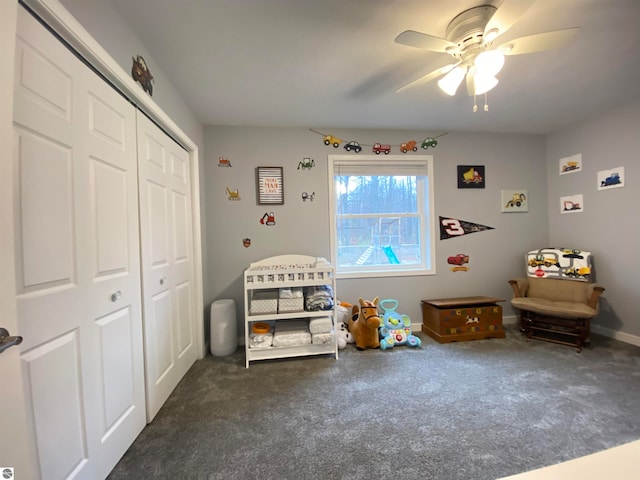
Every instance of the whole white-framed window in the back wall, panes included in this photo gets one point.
(381, 215)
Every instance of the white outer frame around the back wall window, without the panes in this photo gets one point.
(426, 215)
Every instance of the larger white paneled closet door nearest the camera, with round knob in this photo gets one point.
(77, 256)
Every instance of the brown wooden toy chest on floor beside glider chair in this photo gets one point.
(462, 319)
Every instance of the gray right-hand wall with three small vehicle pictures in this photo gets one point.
(610, 223)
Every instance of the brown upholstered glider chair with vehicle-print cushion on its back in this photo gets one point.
(556, 300)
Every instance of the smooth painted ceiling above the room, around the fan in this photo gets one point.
(334, 63)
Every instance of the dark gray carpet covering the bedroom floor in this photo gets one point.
(468, 410)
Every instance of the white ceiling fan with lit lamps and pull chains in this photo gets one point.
(470, 39)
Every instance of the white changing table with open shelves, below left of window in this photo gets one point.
(262, 281)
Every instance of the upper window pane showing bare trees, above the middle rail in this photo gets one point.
(376, 194)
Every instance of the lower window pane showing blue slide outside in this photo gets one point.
(377, 241)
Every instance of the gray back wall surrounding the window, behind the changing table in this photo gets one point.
(511, 162)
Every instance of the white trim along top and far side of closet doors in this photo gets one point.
(68, 28)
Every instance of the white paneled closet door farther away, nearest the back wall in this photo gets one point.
(167, 262)
